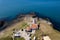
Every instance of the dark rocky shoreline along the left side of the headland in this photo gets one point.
(4, 24)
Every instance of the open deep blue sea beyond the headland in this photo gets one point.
(47, 8)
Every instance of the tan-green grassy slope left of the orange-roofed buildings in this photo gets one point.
(8, 31)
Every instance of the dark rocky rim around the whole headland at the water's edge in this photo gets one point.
(19, 17)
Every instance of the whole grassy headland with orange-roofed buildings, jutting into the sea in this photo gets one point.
(29, 27)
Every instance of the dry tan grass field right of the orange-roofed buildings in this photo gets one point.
(46, 29)
